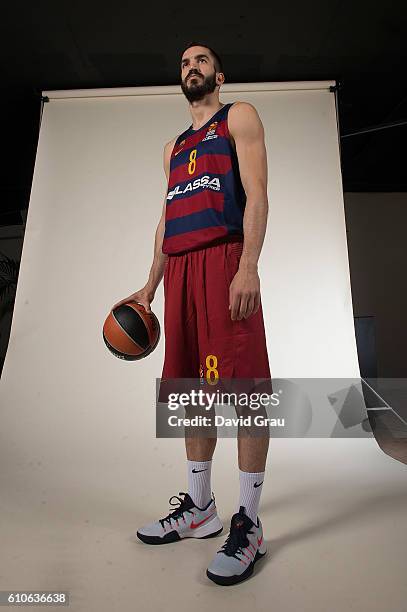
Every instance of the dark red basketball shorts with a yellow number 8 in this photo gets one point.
(201, 340)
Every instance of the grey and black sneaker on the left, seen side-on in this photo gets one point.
(186, 521)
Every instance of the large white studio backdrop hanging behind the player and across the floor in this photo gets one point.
(80, 465)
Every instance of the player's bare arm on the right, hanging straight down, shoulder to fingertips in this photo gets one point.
(247, 130)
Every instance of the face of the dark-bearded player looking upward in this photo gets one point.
(198, 75)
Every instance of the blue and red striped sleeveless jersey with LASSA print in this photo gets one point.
(205, 196)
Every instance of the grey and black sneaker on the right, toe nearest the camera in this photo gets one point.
(244, 545)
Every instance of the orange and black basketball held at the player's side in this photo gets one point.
(130, 332)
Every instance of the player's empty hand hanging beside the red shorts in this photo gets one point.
(244, 293)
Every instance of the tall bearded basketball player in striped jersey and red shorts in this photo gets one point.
(207, 247)
